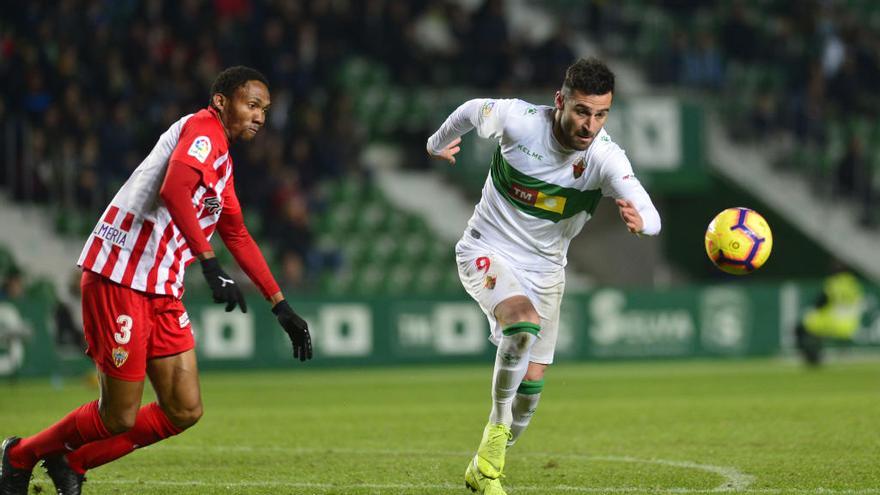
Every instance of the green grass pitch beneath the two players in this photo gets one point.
(756, 427)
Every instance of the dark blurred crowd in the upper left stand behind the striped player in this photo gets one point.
(89, 85)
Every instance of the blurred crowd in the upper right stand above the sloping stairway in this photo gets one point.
(801, 73)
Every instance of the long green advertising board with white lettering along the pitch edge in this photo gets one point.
(608, 323)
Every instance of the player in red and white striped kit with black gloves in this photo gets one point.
(160, 221)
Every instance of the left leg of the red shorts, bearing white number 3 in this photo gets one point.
(117, 326)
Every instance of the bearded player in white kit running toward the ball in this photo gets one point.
(549, 171)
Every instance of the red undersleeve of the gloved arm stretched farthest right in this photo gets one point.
(242, 246)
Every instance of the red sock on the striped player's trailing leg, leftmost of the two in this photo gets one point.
(79, 427)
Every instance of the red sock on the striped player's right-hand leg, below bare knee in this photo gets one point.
(150, 426)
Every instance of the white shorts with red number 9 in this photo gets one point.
(489, 280)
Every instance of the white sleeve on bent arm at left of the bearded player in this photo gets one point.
(487, 115)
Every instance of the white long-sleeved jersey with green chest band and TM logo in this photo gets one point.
(538, 194)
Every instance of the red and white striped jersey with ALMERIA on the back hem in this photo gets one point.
(136, 243)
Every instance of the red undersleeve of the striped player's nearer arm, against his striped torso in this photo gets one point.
(177, 190)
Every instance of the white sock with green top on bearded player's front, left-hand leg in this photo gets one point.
(511, 364)
